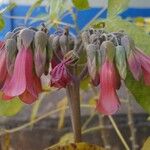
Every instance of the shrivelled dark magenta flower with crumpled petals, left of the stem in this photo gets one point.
(60, 76)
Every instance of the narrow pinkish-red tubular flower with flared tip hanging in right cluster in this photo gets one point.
(108, 102)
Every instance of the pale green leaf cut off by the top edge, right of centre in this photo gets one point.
(115, 7)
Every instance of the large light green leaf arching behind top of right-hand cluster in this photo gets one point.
(140, 37)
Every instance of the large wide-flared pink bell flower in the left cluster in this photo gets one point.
(23, 82)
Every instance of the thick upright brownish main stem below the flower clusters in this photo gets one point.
(73, 95)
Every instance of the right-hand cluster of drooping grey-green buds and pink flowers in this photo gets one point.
(110, 56)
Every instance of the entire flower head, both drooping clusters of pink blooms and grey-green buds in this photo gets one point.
(27, 53)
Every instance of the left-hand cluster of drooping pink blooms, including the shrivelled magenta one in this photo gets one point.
(26, 54)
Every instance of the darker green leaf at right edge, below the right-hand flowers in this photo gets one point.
(139, 91)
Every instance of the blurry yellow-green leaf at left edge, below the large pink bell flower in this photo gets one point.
(10, 108)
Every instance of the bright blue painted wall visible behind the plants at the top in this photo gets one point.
(83, 16)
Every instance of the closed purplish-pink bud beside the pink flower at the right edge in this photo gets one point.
(135, 66)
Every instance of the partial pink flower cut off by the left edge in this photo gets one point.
(3, 70)
